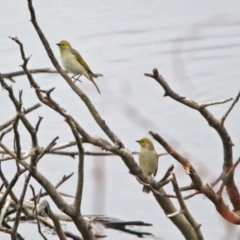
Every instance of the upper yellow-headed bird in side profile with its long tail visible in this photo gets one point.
(73, 62)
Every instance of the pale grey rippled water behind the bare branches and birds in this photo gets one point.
(196, 47)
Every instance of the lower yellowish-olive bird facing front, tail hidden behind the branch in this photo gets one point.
(148, 159)
